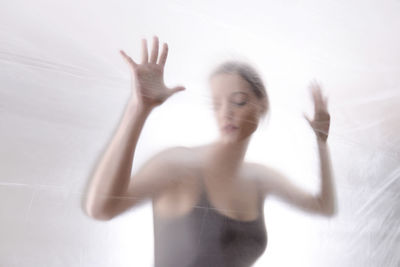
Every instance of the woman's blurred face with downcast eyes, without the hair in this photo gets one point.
(236, 107)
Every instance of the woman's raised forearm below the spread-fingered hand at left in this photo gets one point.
(111, 175)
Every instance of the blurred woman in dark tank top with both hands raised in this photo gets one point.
(207, 202)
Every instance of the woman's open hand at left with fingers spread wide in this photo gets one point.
(148, 88)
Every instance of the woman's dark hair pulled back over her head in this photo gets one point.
(249, 74)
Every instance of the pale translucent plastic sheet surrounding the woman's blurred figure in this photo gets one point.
(64, 86)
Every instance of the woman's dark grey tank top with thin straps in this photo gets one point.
(206, 238)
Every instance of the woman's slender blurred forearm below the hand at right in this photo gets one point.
(327, 193)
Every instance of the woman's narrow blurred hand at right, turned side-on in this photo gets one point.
(321, 121)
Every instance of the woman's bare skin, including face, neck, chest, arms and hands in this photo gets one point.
(172, 178)
